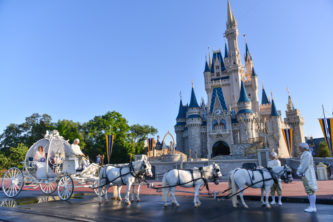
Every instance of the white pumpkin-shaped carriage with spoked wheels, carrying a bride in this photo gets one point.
(54, 169)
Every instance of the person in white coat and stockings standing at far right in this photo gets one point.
(307, 172)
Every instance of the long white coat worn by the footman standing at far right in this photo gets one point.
(306, 168)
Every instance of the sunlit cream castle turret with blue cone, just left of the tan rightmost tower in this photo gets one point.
(275, 138)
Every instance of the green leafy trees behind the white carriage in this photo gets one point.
(129, 140)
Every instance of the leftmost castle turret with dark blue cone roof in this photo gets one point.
(180, 126)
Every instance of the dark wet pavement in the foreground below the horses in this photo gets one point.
(87, 208)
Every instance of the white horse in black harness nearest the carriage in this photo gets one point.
(119, 176)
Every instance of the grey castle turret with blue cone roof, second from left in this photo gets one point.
(193, 123)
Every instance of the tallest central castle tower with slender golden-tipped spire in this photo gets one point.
(233, 62)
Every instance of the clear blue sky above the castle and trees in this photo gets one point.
(77, 59)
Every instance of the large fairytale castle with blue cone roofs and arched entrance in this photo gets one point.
(233, 121)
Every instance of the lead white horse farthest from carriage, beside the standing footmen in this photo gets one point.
(260, 178)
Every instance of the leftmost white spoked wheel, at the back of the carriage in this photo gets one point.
(12, 182)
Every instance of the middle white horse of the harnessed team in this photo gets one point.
(197, 177)
